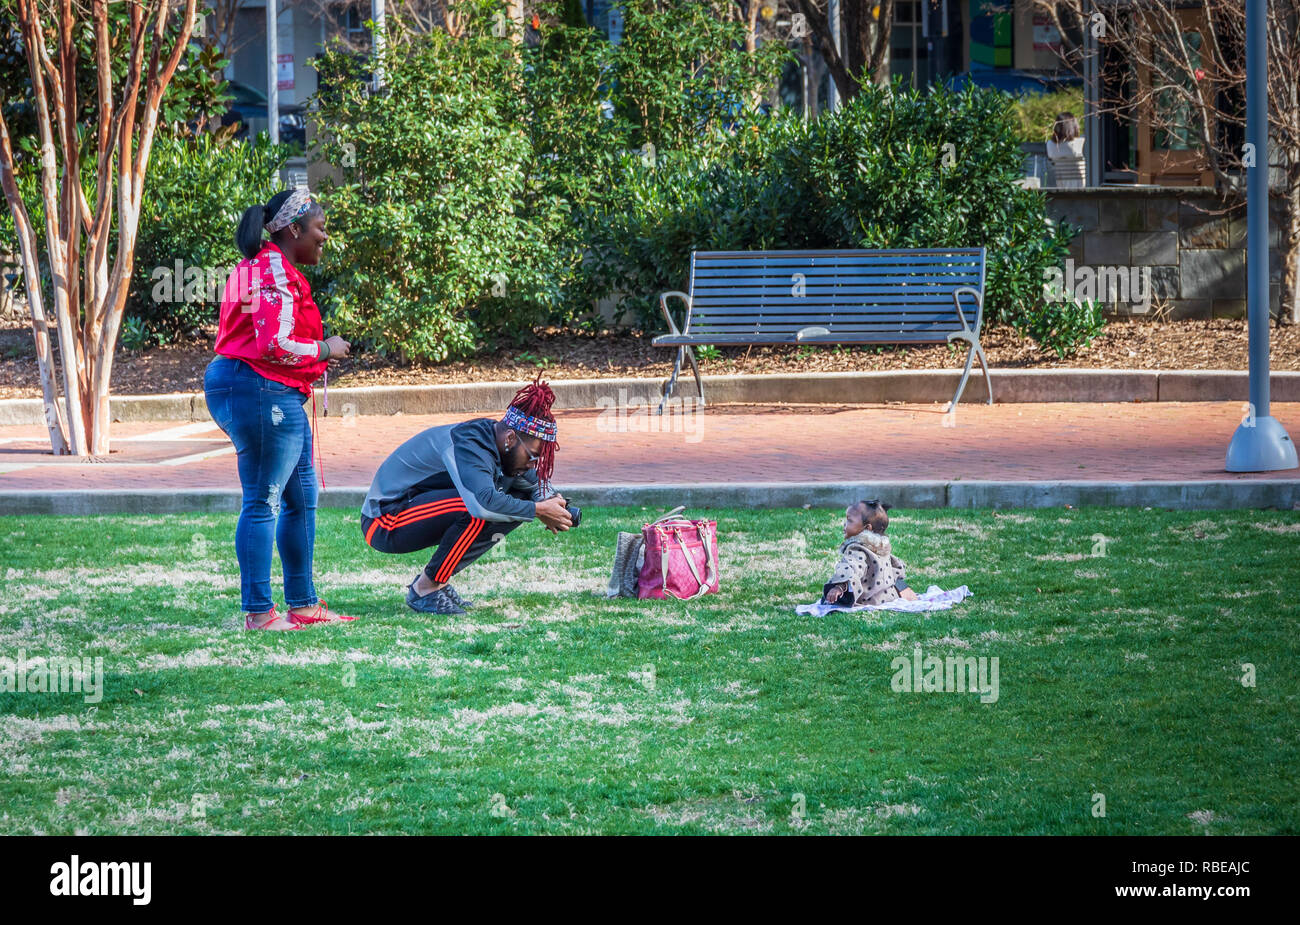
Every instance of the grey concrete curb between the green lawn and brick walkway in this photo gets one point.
(1208, 496)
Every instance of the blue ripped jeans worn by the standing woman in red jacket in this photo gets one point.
(274, 440)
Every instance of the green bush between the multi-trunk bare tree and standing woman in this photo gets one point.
(194, 196)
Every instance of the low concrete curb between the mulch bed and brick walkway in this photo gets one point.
(922, 386)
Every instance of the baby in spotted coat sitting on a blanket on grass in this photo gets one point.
(868, 572)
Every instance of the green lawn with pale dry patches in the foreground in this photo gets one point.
(549, 710)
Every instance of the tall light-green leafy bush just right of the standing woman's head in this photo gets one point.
(430, 214)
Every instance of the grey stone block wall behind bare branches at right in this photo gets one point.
(1193, 241)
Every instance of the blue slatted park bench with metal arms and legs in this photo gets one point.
(829, 298)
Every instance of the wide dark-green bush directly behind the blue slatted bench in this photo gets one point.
(874, 175)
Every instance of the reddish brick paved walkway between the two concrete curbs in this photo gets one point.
(734, 444)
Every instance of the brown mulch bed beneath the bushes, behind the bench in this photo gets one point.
(574, 355)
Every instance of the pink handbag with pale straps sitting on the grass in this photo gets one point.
(681, 558)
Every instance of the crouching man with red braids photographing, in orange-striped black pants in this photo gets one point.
(461, 488)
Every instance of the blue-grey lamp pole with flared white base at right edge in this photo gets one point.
(1260, 444)
